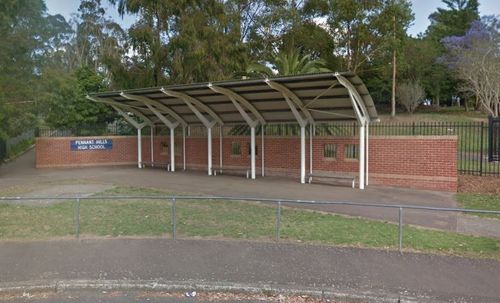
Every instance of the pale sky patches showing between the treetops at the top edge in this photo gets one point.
(421, 8)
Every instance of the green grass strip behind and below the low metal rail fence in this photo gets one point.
(225, 219)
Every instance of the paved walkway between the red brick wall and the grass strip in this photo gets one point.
(22, 172)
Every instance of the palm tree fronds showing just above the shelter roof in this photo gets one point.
(286, 63)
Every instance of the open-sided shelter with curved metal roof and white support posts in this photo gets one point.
(306, 100)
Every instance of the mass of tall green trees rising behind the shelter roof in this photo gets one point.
(48, 64)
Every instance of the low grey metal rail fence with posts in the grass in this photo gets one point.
(278, 202)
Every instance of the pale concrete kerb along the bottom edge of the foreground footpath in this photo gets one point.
(351, 295)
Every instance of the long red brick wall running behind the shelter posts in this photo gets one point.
(416, 162)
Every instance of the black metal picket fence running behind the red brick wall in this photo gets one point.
(478, 151)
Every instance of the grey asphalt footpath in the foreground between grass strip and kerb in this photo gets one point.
(369, 275)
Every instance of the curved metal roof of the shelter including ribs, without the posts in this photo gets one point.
(311, 98)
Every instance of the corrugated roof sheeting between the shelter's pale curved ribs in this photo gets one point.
(322, 95)
